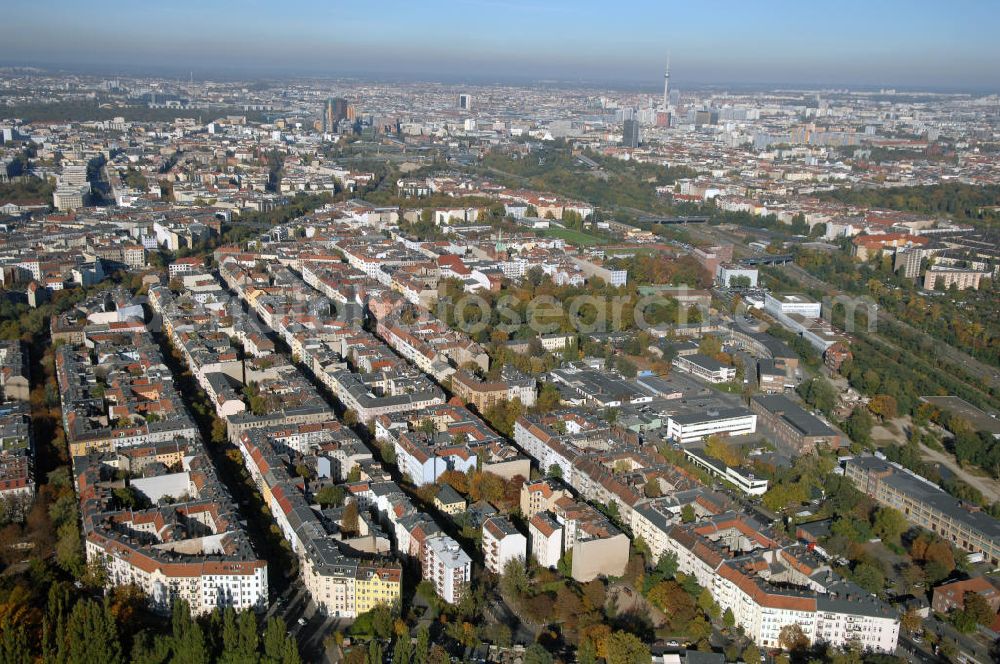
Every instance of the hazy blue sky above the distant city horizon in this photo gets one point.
(885, 43)
